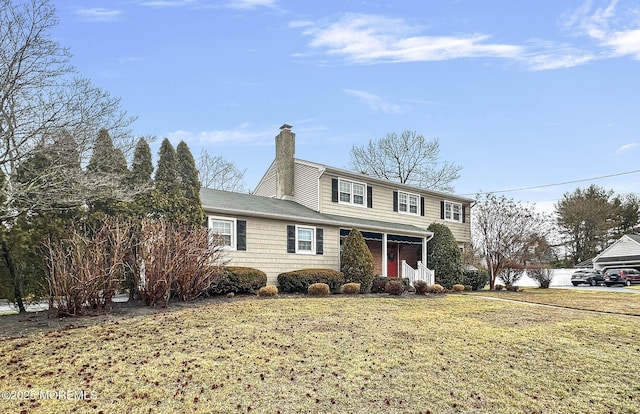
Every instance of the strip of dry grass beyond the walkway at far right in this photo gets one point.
(600, 301)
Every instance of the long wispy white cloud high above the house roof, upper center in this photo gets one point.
(364, 38)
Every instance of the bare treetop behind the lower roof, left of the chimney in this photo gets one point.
(220, 174)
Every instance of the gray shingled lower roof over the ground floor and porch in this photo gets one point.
(227, 202)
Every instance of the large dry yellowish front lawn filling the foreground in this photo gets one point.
(443, 354)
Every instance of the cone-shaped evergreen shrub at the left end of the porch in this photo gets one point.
(356, 261)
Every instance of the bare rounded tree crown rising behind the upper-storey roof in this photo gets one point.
(407, 158)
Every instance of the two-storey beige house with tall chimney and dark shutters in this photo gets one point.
(300, 212)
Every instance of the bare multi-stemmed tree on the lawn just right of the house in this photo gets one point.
(506, 232)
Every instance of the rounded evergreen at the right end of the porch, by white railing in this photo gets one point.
(444, 256)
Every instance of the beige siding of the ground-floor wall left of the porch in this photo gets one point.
(267, 249)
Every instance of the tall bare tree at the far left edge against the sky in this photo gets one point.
(41, 98)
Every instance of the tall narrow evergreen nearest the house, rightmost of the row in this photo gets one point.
(190, 184)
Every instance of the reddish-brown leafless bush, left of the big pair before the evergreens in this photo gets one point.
(87, 268)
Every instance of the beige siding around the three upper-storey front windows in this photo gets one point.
(382, 209)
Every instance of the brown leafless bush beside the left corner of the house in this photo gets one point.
(176, 258)
